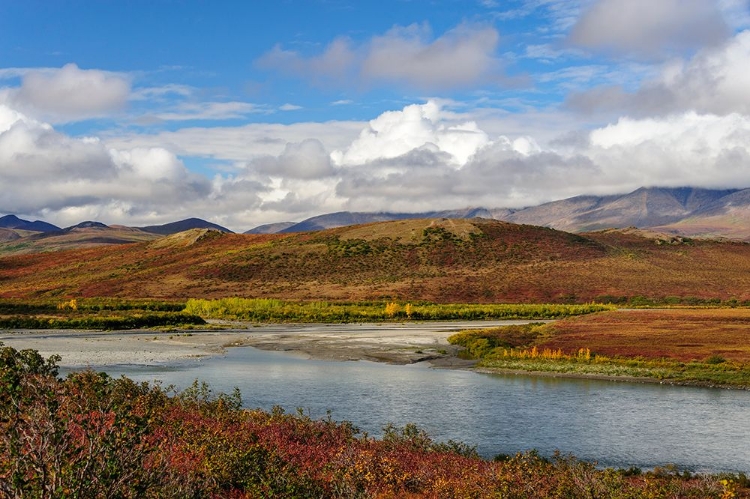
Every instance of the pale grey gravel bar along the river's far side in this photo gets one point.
(388, 342)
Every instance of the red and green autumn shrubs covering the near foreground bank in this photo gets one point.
(90, 435)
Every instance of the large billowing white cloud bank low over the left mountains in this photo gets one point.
(47, 170)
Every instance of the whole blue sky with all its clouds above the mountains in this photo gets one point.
(144, 112)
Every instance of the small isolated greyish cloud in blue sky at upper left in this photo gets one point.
(69, 93)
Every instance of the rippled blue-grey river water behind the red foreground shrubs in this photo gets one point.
(615, 424)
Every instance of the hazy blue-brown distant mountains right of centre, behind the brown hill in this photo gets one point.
(685, 210)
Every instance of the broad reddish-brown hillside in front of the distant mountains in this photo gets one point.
(438, 260)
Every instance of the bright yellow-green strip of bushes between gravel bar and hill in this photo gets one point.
(273, 310)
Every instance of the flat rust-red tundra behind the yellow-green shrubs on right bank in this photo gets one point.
(682, 334)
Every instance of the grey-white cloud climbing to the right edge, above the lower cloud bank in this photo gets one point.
(714, 81)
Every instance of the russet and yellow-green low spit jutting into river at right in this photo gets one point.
(684, 346)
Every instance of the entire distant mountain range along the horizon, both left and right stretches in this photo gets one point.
(685, 211)
